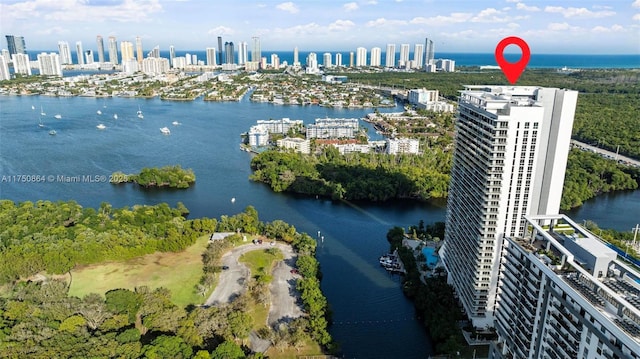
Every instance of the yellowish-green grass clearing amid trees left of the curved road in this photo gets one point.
(179, 272)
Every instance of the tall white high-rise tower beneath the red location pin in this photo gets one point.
(511, 150)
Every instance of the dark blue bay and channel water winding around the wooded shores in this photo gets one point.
(372, 319)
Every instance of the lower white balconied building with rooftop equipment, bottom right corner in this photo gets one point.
(564, 294)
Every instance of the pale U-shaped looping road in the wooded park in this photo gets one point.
(232, 282)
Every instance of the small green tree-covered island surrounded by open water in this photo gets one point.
(167, 176)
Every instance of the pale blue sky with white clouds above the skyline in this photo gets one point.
(549, 27)
